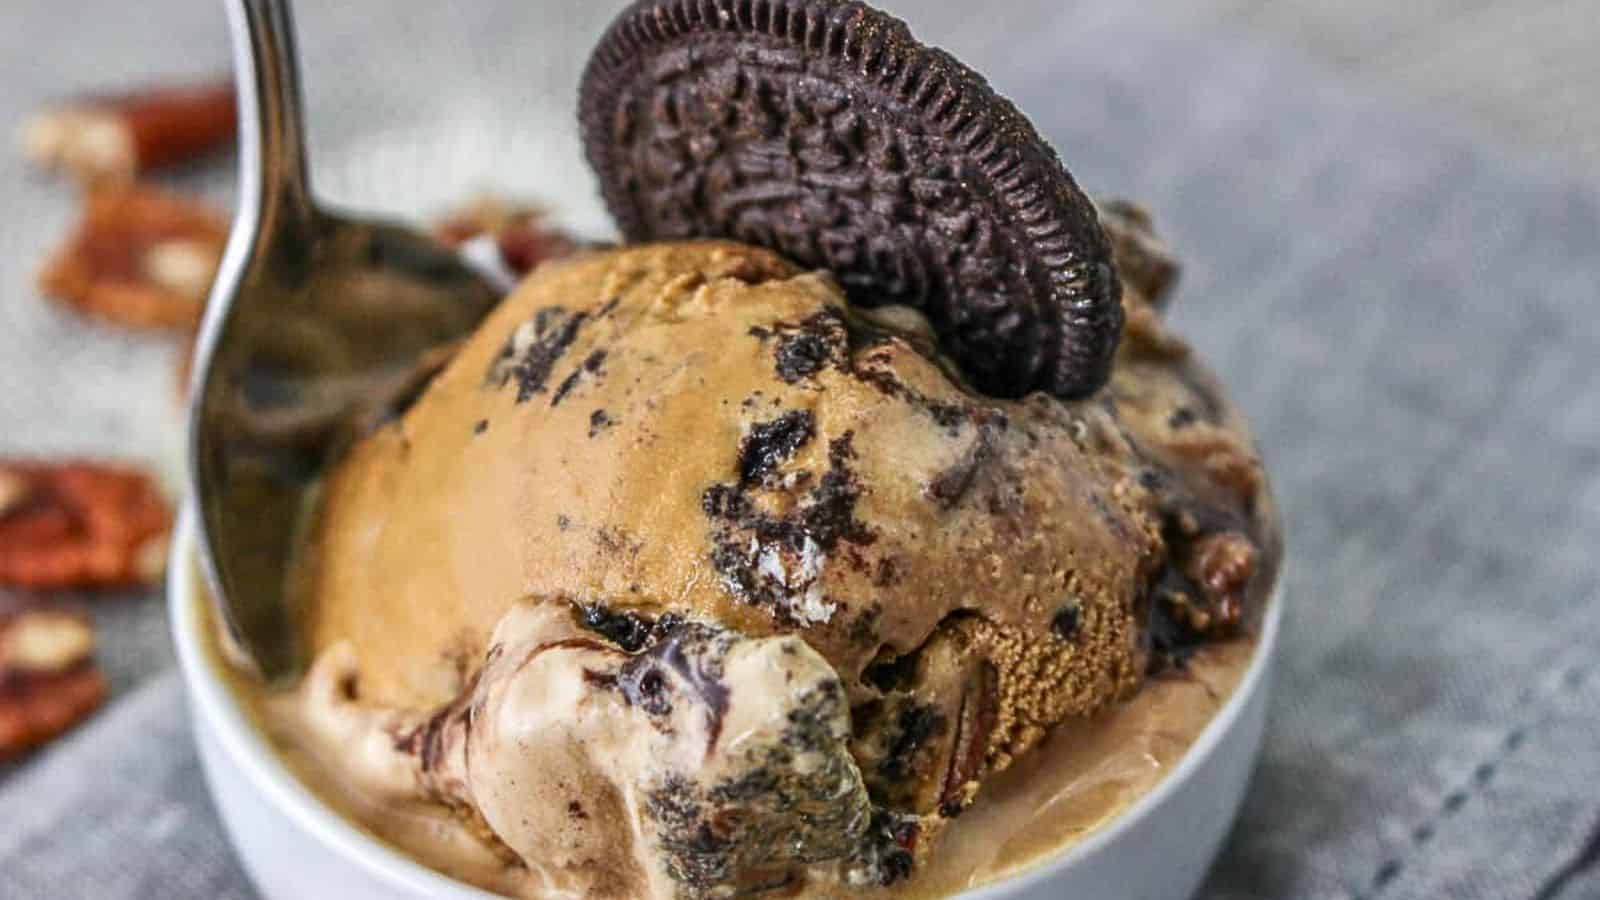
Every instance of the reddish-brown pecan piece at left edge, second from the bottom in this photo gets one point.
(81, 526)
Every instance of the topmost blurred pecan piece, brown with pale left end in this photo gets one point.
(116, 139)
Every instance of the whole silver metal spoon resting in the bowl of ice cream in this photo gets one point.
(316, 321)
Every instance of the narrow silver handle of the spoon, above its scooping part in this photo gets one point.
(271, 126)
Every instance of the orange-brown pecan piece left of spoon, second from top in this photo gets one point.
(140, 257)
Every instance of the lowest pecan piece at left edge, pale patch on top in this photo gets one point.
(49, 681)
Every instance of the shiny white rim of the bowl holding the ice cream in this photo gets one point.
(215, 702)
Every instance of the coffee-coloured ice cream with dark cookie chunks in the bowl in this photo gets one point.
(686, 577)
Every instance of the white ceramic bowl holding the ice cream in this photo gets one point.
(297, 848)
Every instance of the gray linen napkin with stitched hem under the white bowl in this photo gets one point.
(1409, 321)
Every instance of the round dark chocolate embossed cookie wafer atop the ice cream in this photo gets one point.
(823, 131)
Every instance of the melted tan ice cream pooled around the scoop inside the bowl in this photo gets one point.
(1081, 779)
